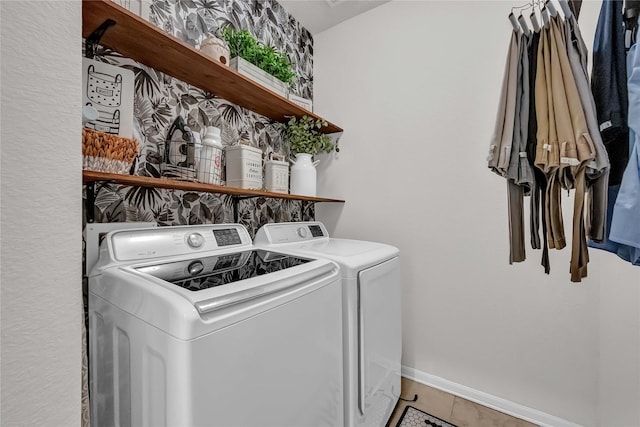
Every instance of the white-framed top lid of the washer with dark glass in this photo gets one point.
(187, 313)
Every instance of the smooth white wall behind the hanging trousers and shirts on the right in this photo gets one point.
(415, 85)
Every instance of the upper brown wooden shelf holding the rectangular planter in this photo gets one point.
(142, 41)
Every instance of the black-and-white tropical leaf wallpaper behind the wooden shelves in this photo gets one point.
(159, 99)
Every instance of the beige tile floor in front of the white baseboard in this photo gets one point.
(450, 408)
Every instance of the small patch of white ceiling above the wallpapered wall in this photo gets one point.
(318, 15)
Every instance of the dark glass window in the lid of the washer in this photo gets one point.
(209, 272)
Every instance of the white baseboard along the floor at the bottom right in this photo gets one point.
(499, 404)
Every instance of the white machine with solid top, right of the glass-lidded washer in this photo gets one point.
(371, 313)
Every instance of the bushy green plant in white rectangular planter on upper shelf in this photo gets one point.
(249, 57)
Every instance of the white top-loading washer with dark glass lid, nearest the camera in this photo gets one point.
(193, 326)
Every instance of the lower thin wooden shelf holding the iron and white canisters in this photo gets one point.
(143, 181)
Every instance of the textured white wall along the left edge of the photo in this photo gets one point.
(40, 208)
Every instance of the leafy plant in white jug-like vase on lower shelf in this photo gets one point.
(304, 140)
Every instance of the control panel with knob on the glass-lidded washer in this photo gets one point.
(143, 244)
